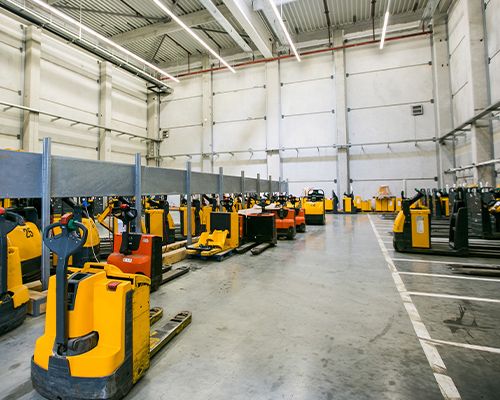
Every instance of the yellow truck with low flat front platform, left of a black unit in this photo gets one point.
(222, 235)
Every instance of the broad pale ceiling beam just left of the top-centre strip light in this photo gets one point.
(252, 24)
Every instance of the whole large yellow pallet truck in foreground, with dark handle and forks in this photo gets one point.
(98, 340)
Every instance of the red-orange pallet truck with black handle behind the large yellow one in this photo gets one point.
(137, 253)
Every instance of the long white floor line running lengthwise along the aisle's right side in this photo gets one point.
(445, 383)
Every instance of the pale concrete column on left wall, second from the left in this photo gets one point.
(105, 109)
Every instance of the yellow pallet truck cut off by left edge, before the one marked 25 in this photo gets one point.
(14, 295)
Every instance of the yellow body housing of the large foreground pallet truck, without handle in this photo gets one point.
(104, 294)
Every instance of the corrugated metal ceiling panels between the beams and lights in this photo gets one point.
(112, 17)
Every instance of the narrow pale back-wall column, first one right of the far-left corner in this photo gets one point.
(207, 163)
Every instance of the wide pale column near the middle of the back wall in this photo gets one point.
(273, 119)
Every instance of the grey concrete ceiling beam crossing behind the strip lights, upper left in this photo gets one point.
(165, 28)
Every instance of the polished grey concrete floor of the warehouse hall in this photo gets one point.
(316, 318)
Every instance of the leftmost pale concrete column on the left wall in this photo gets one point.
(31, 96)
